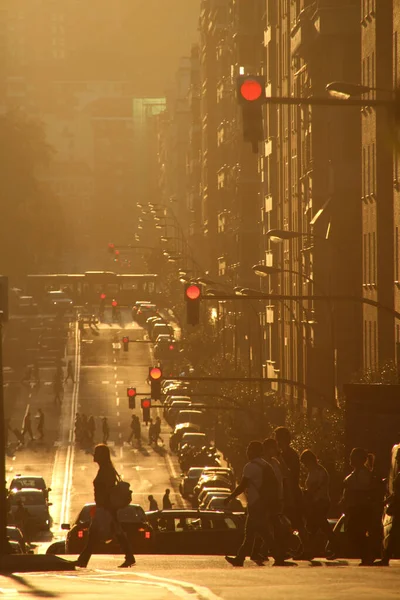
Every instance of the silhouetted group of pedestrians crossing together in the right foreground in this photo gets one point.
(271, 482)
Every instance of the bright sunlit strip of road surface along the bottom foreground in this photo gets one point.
(210, 578)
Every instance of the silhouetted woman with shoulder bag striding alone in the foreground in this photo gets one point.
(105, 518)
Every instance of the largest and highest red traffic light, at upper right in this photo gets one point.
(251, 97)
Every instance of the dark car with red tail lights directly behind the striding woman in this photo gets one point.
(132, 519)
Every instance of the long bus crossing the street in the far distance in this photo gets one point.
(87, 287)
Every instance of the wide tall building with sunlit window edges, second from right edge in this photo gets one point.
(311, 174)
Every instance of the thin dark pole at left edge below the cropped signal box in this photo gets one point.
(4, 548)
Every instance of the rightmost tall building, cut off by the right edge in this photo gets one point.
(377, 45)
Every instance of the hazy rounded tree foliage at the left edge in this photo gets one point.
(30, 216)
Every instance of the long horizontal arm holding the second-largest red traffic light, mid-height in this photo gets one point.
(318, 297)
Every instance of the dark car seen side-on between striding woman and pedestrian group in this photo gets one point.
(196, 531)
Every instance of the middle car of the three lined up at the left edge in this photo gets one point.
(37, 506)
